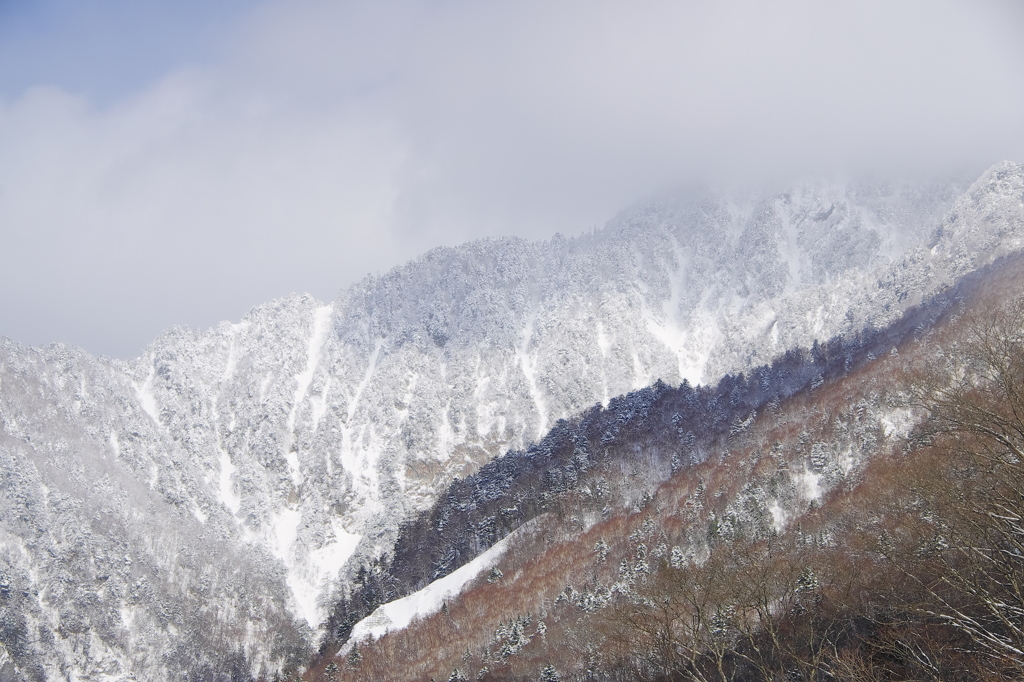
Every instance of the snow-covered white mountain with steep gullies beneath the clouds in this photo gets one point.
(198, 508)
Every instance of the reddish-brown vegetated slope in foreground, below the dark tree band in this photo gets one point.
(909, 565)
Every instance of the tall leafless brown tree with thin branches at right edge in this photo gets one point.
(973, 390)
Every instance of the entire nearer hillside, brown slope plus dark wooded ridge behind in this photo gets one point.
(826, 529)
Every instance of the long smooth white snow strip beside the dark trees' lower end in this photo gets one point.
(398, 615)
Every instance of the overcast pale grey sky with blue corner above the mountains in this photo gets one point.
(178, 162)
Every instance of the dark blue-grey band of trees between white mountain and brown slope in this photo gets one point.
(577, 468)
